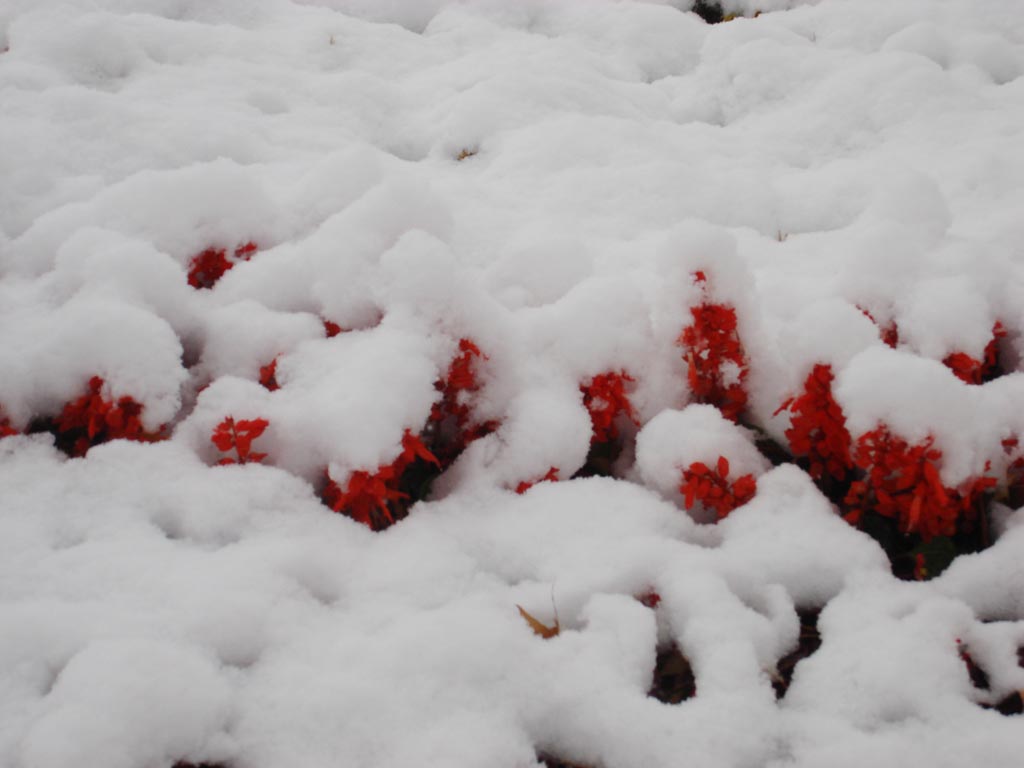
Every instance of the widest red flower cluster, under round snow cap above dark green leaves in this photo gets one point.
(903, 483)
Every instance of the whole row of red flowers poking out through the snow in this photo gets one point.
(879, 481)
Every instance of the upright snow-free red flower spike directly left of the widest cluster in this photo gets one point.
(819, 428)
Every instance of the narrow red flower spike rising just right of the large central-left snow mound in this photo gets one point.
(452, 416)
